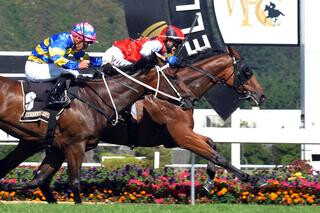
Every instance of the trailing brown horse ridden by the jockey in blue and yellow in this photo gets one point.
(79, 127)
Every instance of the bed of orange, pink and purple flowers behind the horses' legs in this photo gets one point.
(133, 184)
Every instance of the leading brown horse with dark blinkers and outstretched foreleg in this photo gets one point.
(159, 122)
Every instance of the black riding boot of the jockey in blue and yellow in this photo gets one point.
(58, 97)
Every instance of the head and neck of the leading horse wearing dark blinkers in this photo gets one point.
(209, 67)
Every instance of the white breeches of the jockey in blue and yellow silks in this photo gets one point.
(46, 72)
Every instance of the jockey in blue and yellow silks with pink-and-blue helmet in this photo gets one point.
(48, 61)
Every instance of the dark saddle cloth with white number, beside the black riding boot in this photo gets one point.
(34, 101)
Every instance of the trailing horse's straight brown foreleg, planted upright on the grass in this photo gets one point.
(75, 155)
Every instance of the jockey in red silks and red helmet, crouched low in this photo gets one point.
(128, 52)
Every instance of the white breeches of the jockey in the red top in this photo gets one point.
(114, 56)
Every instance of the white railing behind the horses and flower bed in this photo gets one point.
(279, 126)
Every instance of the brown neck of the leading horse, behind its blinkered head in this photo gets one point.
(220, 67)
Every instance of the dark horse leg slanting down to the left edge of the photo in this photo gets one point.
(21, 152)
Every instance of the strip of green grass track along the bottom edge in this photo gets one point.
(153, 208)
